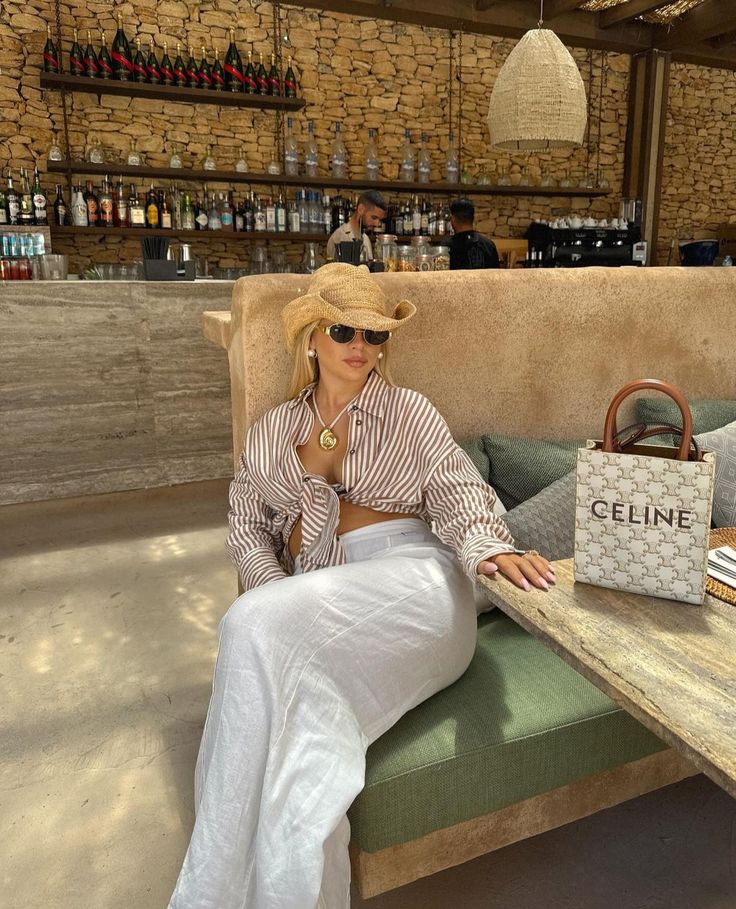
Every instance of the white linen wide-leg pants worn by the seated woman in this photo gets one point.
(311, 670)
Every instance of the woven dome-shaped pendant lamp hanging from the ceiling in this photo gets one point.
(538, 101)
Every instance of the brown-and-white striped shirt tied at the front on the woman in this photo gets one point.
(400, 457)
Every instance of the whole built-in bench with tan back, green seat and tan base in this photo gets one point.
(521, 743)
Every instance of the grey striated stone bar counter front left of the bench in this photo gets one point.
(109, 386)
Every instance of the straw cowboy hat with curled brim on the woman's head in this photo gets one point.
(346, 294)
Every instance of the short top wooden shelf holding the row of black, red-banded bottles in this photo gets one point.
(66, 82)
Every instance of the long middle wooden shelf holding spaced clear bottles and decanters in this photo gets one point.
(197, 175)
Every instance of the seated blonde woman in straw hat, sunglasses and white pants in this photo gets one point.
(354, 610)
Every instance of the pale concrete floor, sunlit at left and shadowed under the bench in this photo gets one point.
(108, 613)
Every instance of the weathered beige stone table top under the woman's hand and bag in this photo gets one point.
(671, 665)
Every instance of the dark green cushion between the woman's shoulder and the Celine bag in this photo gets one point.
(520, 468)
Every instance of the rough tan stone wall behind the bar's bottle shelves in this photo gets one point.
(360, 72)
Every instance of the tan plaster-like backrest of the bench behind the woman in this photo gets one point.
(533, 353)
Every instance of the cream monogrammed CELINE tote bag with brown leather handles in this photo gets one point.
(642, 516)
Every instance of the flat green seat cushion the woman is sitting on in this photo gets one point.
(518, 723)
